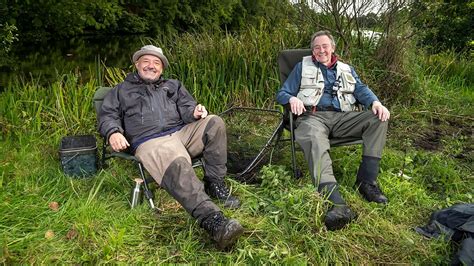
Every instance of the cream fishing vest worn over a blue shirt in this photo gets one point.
(312, 85)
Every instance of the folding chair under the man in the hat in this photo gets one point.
(107, 153)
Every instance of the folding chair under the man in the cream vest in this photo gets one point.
(287, 59)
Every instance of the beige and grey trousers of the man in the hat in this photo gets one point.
(168, 160)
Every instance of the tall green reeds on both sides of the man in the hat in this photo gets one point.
(220, 69)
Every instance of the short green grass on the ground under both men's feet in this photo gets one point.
(282, 218)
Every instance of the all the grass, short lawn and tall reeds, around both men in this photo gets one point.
(427, 165)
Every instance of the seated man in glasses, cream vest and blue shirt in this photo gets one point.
(324, 93)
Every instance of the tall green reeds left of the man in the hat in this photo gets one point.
(64, 107)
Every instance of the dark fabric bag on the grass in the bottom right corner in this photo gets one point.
(455, 223)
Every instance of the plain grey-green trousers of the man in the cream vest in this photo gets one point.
(314, 130)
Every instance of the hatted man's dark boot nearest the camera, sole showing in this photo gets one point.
(222, 230)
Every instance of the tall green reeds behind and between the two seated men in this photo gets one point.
(222, 69)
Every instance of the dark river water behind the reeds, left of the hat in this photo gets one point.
(43, 62)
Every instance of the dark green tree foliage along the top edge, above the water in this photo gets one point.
(46, 19)
